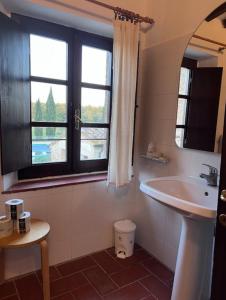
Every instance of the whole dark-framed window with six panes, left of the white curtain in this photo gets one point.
(71, 86)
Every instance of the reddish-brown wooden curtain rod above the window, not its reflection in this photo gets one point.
(126, 13)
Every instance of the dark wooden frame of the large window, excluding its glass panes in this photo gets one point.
(75, 39)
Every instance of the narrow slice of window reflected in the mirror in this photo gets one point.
(183, 100)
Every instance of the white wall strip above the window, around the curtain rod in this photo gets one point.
(75, 13)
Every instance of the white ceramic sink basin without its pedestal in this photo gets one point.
(187, 195)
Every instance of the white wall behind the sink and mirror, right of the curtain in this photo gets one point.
(158, 226)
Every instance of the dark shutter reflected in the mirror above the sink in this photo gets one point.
(203, 108)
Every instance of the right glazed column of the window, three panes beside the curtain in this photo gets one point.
(95, 103)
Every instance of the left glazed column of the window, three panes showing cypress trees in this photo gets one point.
(49, 88)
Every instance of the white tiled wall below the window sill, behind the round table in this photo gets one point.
(81, 219)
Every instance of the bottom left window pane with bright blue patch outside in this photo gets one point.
(49, 144)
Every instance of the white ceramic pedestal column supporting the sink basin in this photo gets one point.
(194, 260)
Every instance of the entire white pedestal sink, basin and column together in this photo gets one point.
(197, 204)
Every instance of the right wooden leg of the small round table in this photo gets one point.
(45, 269)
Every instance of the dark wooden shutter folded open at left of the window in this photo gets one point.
(14, 96)
